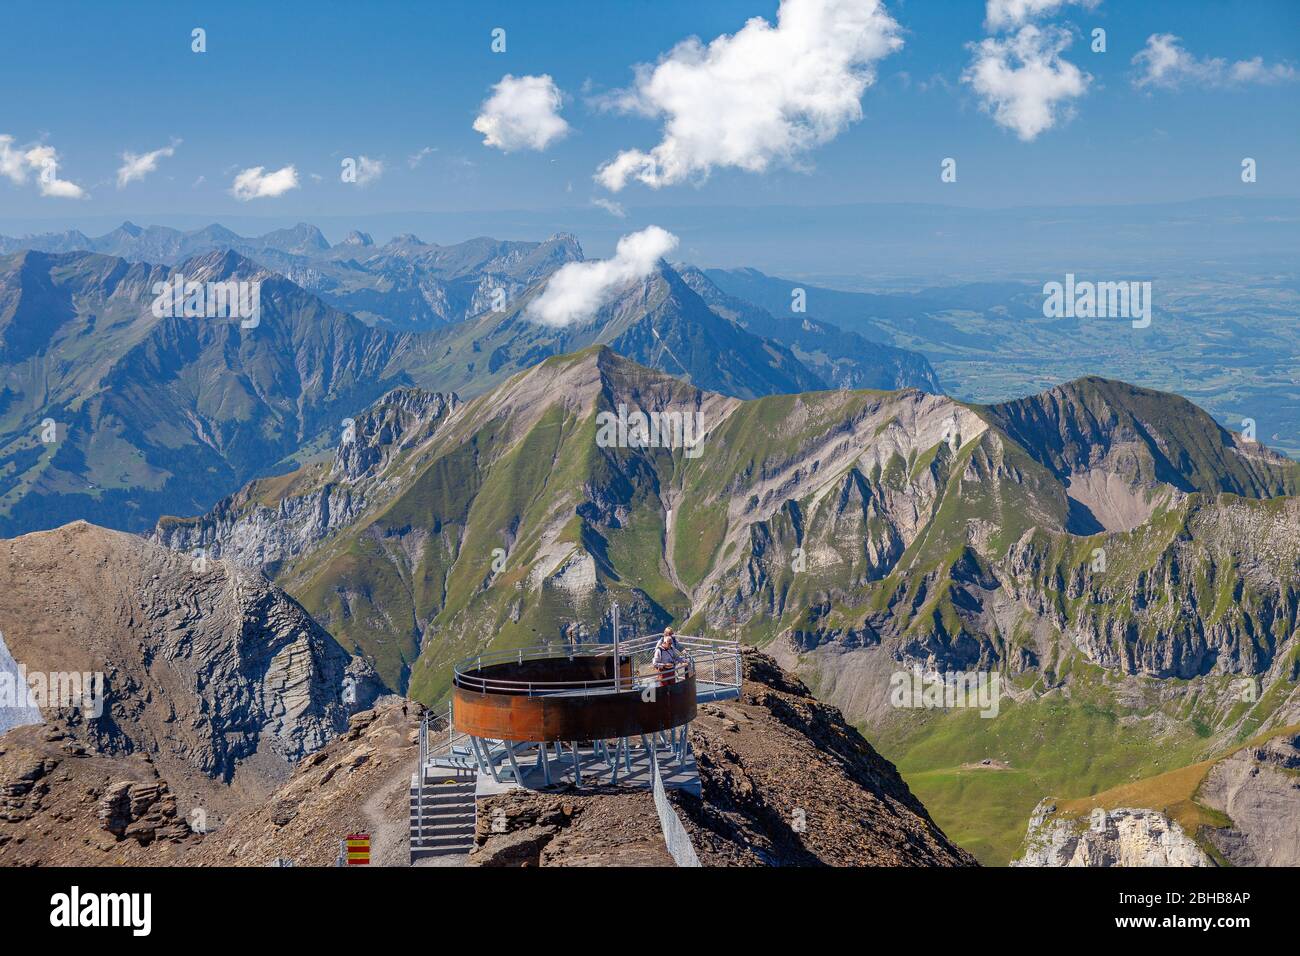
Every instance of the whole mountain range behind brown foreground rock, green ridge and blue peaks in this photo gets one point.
(1123, 564)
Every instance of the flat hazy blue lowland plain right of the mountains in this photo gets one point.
(1224, 339)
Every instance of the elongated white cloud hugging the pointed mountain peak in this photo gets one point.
(578, 291)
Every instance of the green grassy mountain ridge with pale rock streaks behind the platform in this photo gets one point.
(1117, 559)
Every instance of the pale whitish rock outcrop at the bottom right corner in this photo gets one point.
(1125, 837)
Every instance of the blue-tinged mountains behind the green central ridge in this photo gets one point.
(118, 416)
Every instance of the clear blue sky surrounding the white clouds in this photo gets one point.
(310, 84)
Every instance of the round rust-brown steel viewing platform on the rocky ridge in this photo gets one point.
(571, 693)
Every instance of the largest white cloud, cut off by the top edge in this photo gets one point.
(762, 96)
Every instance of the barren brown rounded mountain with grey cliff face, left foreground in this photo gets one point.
(213, 676)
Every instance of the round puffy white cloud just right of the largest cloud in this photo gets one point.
(1024, 83)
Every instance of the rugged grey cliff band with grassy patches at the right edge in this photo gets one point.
(1210, 587)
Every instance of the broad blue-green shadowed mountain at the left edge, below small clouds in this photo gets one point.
(146, 416)
